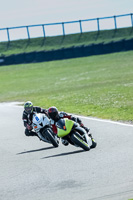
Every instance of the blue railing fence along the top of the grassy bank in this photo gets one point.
(62, 24)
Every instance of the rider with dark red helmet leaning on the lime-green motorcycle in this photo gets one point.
(55, 116)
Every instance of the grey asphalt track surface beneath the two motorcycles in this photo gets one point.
(34, 170)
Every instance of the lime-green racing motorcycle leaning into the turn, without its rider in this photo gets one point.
(74, 134)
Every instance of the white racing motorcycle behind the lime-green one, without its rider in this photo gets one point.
(42, 127)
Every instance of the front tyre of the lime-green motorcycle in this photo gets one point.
(78, 140)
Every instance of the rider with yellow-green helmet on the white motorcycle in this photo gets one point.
(28, 112)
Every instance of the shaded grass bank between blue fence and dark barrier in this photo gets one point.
(58, 42)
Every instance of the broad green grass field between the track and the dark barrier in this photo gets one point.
(98, 86)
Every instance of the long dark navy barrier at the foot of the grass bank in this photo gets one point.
(66, 53)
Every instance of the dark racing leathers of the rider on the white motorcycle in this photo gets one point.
(27, 120)
